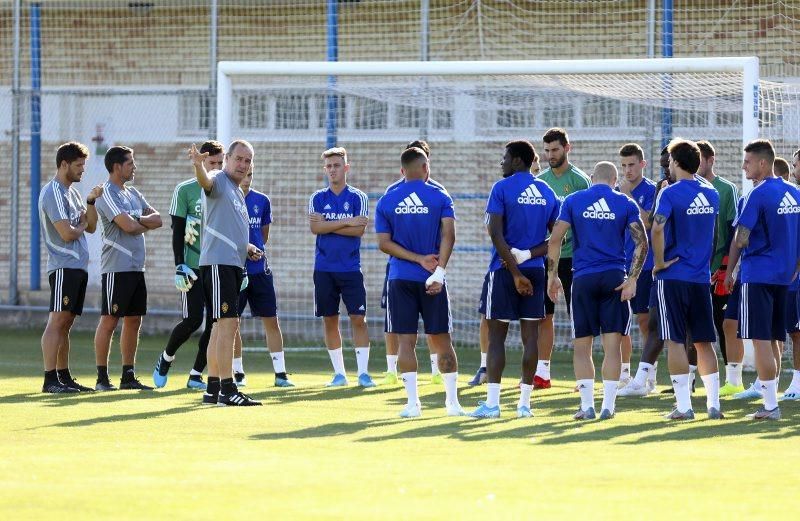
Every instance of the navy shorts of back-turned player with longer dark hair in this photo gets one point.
(685, 306)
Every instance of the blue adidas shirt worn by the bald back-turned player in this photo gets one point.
(599, 217)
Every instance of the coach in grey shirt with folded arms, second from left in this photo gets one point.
(126, 216)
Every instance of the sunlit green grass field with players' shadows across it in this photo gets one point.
(317, 453)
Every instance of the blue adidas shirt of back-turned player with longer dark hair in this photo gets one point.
(691, 208)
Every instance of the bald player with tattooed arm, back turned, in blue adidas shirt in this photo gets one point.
(599, 218)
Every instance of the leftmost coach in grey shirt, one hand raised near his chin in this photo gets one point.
(64, 218)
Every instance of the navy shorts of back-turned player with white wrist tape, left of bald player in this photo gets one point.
(502, 302)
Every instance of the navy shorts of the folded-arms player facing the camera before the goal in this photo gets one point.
(332, 286)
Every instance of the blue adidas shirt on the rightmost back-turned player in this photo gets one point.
(771, 211)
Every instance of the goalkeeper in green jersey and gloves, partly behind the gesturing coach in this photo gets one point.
(186, 213)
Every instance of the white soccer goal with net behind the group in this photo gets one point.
(466, 111)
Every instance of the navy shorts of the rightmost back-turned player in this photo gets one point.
(762, 311)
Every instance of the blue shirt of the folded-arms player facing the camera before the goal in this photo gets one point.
(334, 252)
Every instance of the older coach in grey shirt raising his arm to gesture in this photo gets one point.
(223, 254)
